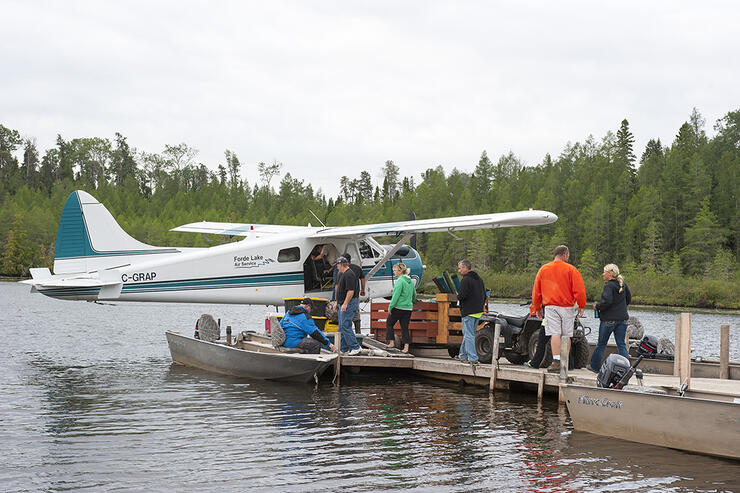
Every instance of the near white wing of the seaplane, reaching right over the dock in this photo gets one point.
(460, 223)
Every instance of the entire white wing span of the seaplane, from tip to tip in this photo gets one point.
(460, 223)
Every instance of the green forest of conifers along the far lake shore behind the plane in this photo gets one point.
(671, 214)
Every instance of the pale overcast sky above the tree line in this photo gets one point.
(334, 88)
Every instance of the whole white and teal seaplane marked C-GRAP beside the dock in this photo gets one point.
(95, 259)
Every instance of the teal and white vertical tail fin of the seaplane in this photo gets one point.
(89, 238)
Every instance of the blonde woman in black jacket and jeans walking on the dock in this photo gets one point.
(612, 311)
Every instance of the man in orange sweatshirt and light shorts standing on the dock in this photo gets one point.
(558, 291)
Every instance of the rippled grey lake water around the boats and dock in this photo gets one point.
(90, 400)
